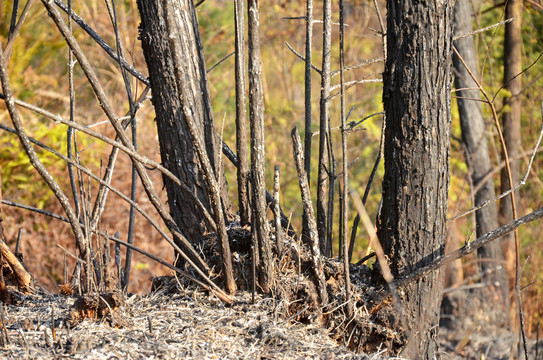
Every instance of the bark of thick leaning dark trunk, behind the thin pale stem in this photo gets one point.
(176, 148)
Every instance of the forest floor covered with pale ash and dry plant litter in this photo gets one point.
(190, 324)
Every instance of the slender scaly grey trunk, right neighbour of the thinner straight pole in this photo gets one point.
(256, 115)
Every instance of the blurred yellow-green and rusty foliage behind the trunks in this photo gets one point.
(38, 71)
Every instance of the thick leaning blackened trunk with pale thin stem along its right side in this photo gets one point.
(188, 143)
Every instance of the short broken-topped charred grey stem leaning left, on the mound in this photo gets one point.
(316, 258)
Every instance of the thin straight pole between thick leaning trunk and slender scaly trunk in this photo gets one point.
(241, 116)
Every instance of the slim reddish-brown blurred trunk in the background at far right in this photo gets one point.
(511, 118)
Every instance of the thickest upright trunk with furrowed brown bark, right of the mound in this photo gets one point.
(412, 223)
